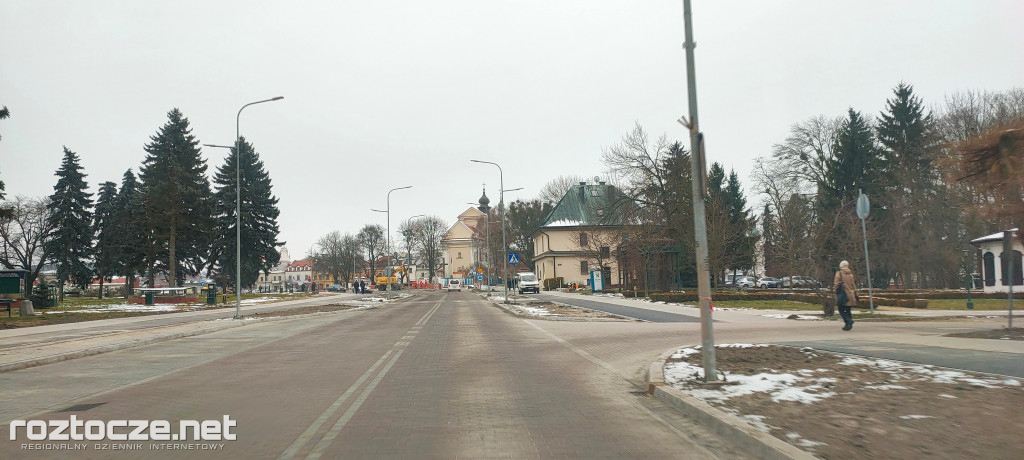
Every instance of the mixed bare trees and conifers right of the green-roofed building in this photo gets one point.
(909, 160)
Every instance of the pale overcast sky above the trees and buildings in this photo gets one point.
(380, 95)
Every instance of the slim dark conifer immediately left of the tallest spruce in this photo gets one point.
(130, 220)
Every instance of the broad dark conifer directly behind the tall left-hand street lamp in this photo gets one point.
(260, 218)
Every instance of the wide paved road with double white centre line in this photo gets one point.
(437, 377)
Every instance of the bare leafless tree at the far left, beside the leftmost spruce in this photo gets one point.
(22, 238)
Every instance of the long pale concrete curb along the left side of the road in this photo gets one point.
(9, 367)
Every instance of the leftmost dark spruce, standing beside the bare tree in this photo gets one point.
(70, 241)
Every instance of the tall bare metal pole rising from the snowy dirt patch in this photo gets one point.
(700, 223)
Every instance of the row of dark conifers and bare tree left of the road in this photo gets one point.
(166, 222)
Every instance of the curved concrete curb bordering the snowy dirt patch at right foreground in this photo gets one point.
(747, 438)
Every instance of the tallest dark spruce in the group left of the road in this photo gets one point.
(178, 197)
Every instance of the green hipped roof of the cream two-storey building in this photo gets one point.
(587, 205)
